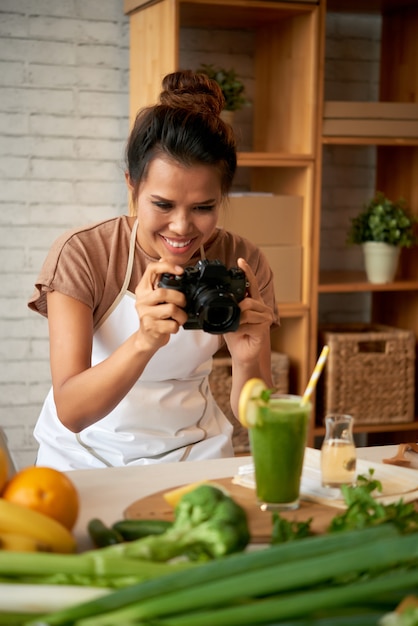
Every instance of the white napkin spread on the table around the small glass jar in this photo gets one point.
(397, 482)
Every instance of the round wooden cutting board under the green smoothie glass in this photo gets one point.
(260, 522)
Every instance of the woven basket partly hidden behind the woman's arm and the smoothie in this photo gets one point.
(220, 381)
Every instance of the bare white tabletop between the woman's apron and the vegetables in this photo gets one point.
(106, 493)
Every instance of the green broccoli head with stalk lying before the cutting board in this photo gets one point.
(208, 524)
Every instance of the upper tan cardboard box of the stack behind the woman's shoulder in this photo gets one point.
(264, 219)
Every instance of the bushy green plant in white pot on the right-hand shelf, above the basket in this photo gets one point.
(383, 228)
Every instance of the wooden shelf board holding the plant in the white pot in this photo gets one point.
(350, 282)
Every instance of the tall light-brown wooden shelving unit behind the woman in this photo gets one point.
(287, 137)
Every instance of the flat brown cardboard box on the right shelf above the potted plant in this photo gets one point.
(372, 119)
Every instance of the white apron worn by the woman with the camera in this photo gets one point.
(169, 415)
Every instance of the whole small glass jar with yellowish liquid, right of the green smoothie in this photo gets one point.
(338, 451)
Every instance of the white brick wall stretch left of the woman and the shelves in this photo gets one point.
(63, 125)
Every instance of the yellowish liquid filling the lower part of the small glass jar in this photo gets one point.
(338, 463)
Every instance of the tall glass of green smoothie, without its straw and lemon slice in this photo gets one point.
(278, 444)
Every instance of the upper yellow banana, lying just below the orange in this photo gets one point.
(20, 520)
